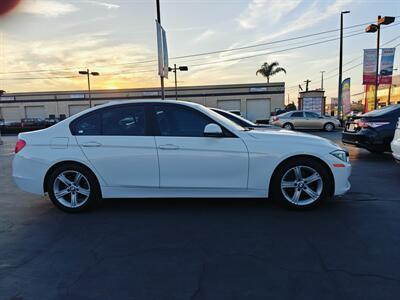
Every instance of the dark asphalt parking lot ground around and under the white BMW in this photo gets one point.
(348, 248)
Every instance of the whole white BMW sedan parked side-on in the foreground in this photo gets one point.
(143, 149)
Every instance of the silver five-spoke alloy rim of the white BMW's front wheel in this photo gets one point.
(301, 185)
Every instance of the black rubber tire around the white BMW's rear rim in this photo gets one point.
(89, 180)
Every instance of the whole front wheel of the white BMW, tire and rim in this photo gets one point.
(301, 183)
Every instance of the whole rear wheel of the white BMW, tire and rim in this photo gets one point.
(72, 188)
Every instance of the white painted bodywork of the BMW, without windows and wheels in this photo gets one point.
(135, 167)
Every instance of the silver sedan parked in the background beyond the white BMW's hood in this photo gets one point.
(304, 120)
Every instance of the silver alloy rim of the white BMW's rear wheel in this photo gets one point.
(71, 189)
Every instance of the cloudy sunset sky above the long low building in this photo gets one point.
(44, 43)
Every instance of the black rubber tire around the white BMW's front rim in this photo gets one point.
(306, 162)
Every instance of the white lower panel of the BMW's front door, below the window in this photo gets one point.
(191, 162)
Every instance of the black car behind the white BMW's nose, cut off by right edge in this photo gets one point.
(374, 130)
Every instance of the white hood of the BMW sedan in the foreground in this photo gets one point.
(289, 136)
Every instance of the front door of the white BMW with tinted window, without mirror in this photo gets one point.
(188, 159)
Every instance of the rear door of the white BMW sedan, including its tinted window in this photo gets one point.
(116, 142)
